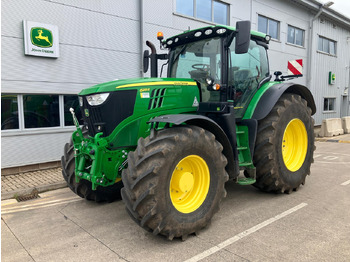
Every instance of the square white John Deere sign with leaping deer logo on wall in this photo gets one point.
(40, 39)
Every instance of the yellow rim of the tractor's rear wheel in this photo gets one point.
(294, 145)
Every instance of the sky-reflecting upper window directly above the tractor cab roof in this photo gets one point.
(210, 10)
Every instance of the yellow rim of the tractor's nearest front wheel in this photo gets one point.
(189, 184)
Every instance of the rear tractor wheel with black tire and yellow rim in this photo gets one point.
(285, 145)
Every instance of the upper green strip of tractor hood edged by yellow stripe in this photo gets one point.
(136, 83)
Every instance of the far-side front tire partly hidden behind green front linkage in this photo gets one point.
(84, 187)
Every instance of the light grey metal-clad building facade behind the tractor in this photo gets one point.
(100, 41)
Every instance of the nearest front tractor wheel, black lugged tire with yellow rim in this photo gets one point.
(175, 180)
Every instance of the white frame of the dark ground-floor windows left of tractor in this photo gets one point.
(22, 130)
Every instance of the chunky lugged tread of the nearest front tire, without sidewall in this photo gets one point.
(141, 179)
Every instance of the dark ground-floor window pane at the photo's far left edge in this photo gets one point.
(9, 112)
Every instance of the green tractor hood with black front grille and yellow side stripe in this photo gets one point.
(133, 99)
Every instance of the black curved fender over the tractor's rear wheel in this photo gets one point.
(271, 96)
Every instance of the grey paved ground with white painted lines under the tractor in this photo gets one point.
(312, 224)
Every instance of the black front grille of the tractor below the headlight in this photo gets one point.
(104, 118)
